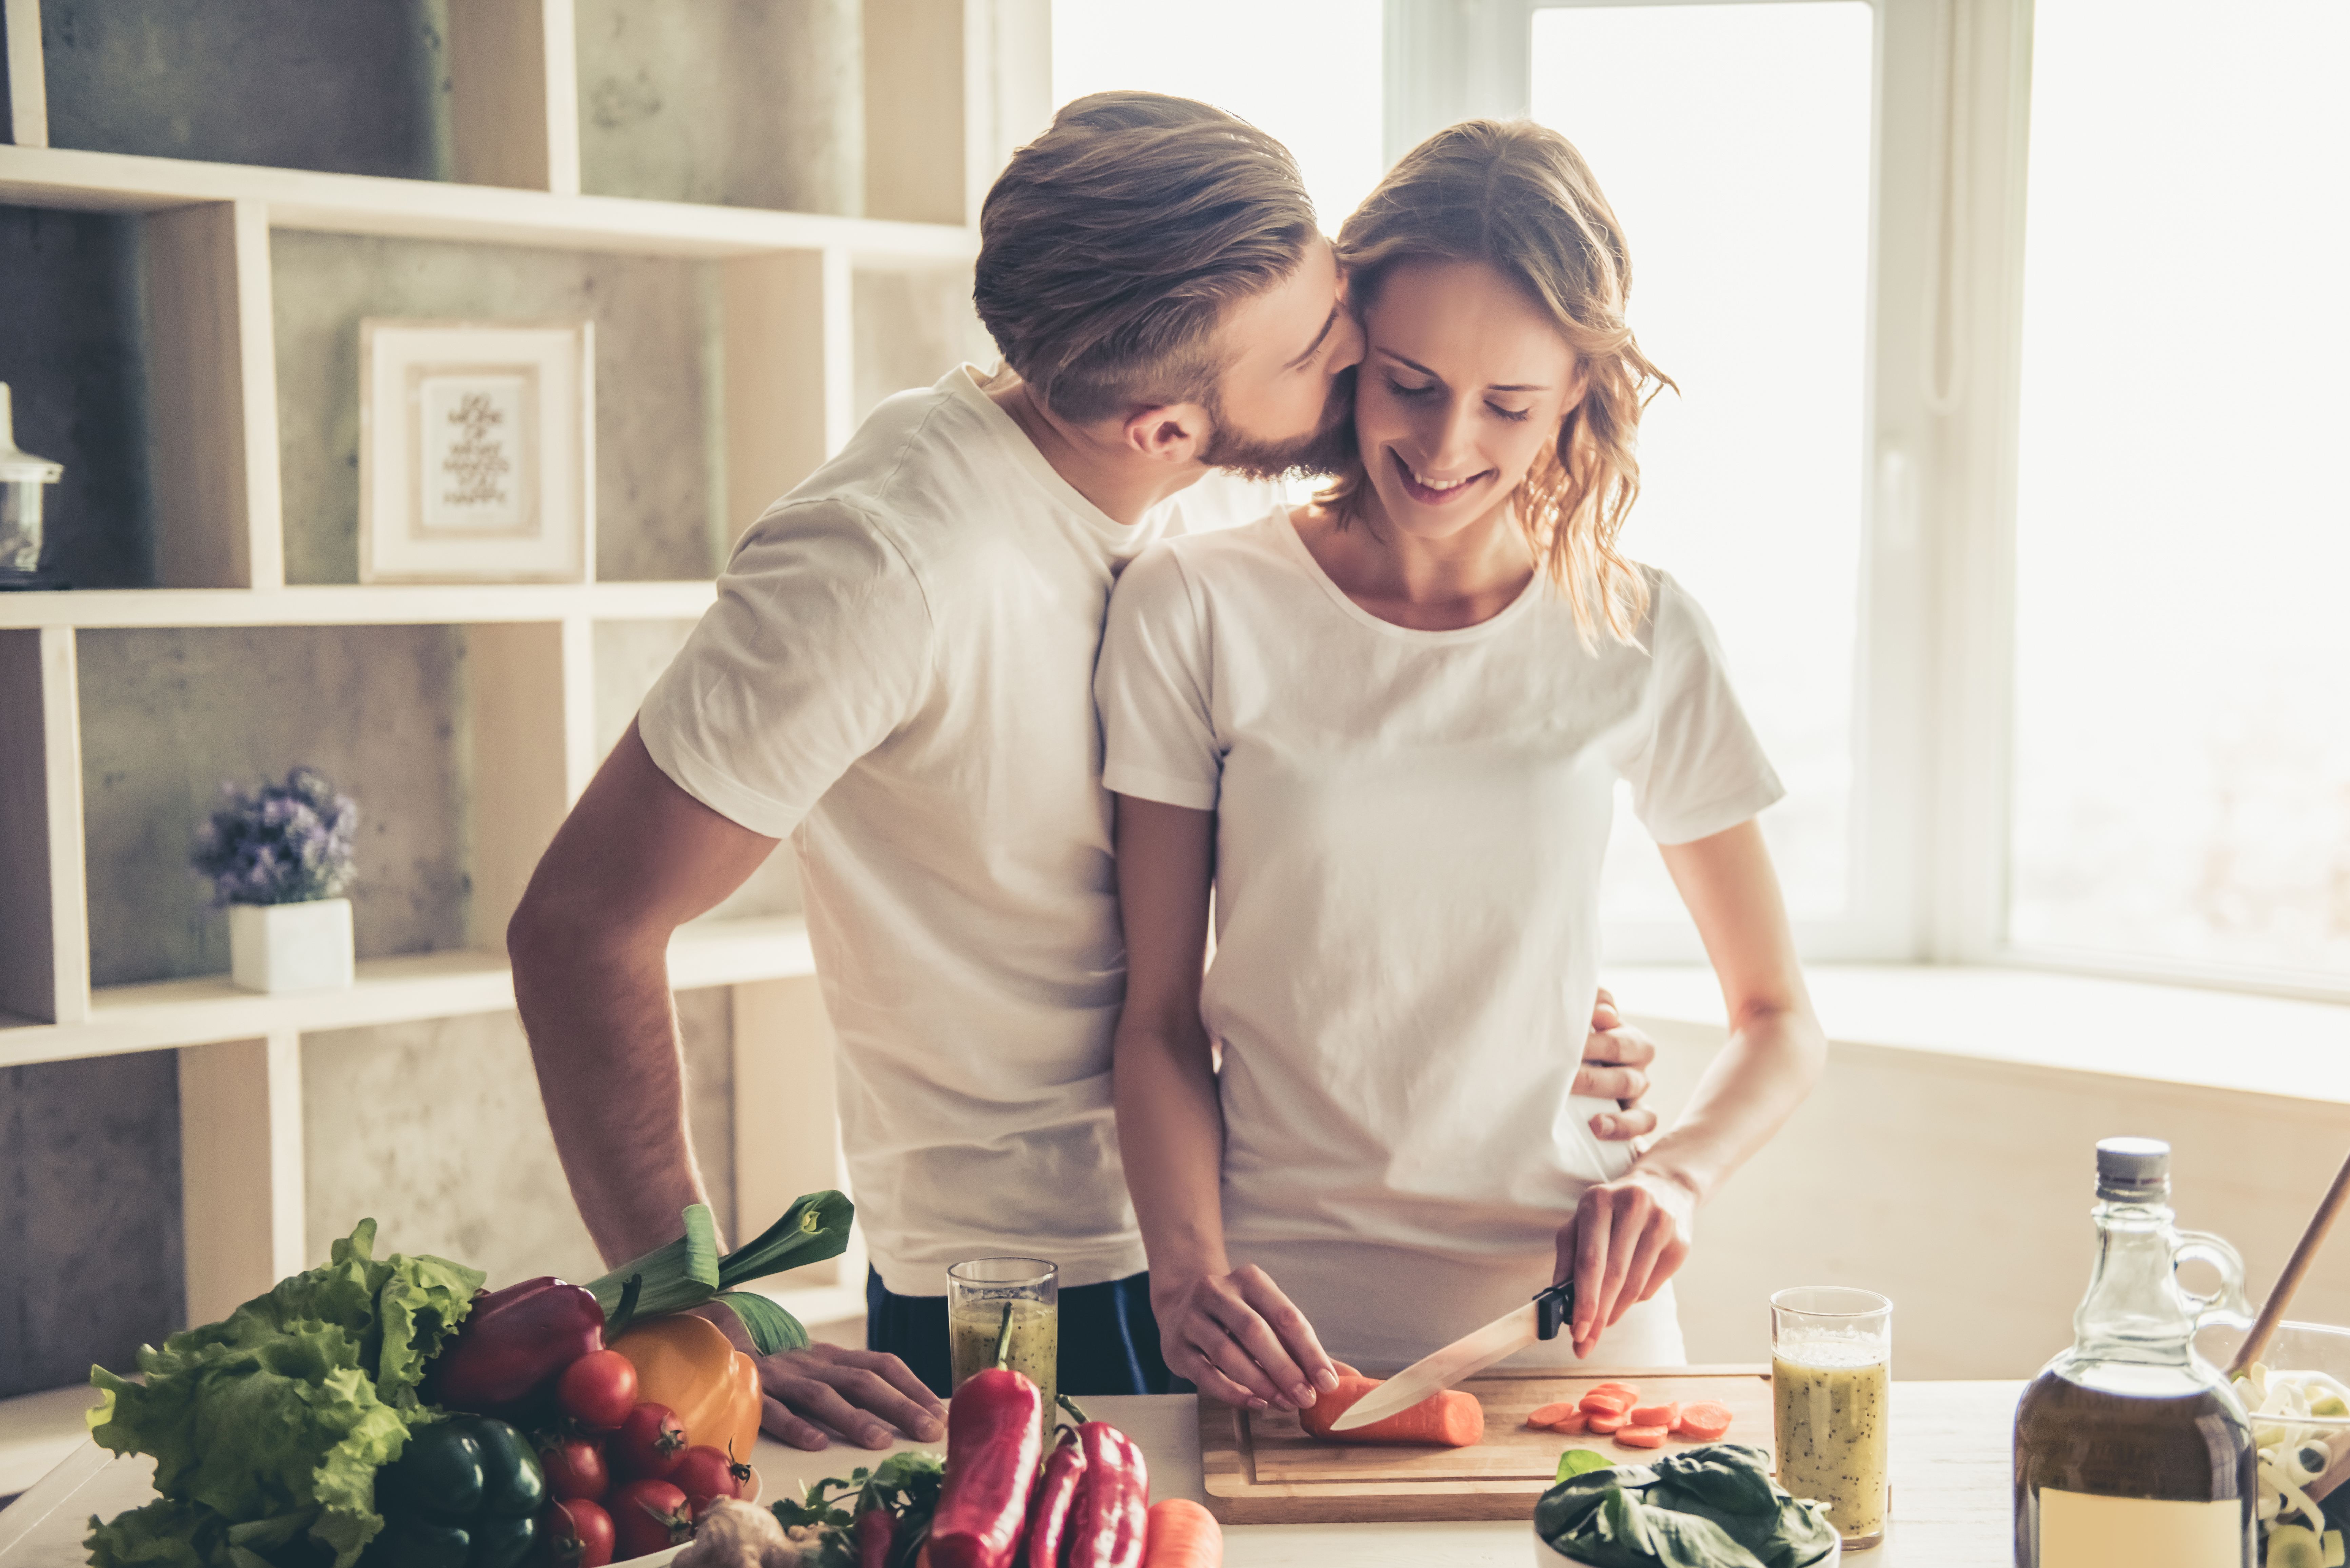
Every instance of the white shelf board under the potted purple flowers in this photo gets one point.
(208, 1010)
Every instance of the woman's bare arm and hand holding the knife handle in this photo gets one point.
(1632, 1235)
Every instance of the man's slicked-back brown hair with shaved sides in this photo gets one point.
(1113, 246)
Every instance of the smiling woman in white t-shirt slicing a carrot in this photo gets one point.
(1385, 732)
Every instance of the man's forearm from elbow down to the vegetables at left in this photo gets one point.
(612, 1076)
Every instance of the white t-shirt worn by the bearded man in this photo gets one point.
(899, 678)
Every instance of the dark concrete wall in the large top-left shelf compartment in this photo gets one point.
(356, 86)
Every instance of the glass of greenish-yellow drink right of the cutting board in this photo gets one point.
(1832, 1355)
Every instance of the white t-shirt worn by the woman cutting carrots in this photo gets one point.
(1406, 911)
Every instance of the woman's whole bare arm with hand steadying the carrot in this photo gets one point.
(1230, 1332)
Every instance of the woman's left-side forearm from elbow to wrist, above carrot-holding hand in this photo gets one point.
(1171, 1137)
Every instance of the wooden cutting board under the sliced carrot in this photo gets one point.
(1263, 1468)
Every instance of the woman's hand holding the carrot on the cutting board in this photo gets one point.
(1240, 1339)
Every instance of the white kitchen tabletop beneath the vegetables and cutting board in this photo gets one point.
(1949, 1466)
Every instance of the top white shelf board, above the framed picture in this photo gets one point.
(483, 215)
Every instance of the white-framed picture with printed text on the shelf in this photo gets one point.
(476, 453)
